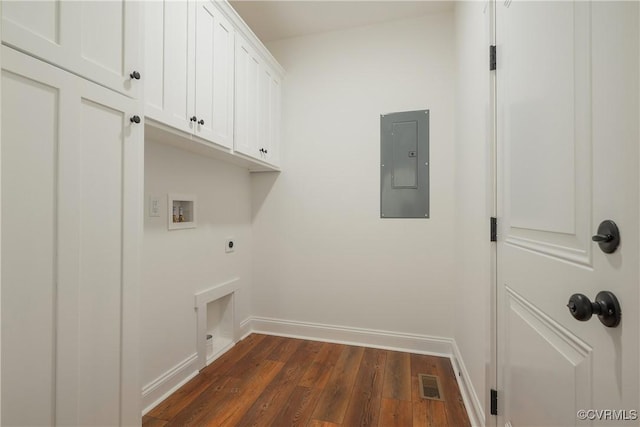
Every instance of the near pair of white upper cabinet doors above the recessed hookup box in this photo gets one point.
(189, 62)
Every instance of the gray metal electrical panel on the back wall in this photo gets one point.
(404, 169)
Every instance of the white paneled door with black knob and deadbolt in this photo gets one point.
(567, 128)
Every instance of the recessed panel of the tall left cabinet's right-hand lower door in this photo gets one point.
(102, 137)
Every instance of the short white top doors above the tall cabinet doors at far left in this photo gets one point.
(98, 40)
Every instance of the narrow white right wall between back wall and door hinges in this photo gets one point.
(473, 195)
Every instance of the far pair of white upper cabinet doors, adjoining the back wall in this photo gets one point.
(257, 107)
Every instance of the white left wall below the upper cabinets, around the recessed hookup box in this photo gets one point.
(179, 263)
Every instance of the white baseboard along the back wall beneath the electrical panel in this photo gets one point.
(387, 340)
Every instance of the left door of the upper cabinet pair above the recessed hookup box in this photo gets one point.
(169, 62)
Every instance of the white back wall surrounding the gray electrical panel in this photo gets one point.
(321, 252)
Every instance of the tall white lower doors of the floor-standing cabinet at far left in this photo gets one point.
(70, 227)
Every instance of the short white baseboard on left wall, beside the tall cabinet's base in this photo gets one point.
(163, 386)
